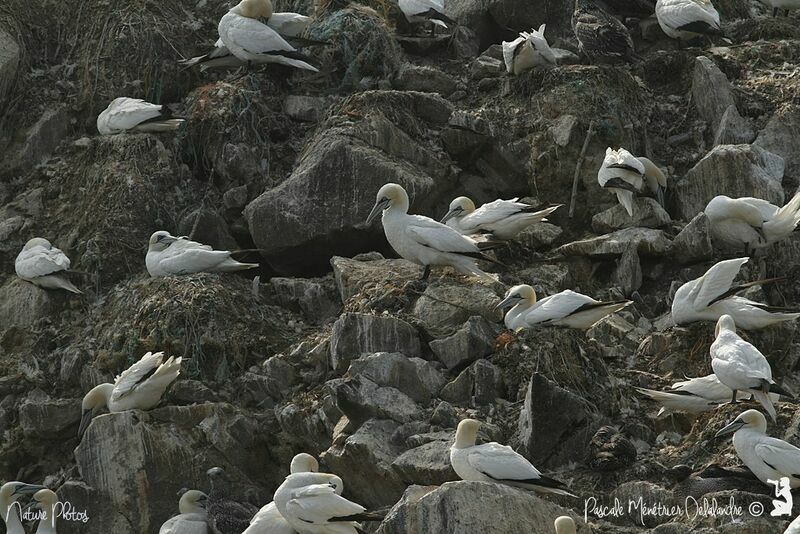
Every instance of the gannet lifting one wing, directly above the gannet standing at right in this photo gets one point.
(713, 295)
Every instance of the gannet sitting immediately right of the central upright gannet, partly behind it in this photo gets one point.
(504, 219)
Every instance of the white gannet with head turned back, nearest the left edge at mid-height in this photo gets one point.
(42, 264)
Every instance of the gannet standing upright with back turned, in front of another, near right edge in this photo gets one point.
(741, 366)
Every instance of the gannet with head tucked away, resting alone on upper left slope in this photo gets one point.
(125, 114)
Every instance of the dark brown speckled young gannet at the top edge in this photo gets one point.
(601, 35)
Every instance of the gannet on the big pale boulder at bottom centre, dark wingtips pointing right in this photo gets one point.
(492, 462)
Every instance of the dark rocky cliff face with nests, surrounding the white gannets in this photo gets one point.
(339, 350)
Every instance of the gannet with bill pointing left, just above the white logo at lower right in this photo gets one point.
(768, 458)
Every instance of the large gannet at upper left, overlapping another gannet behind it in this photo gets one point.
(252, 41)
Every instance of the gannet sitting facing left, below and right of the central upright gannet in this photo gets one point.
(567, 308)
